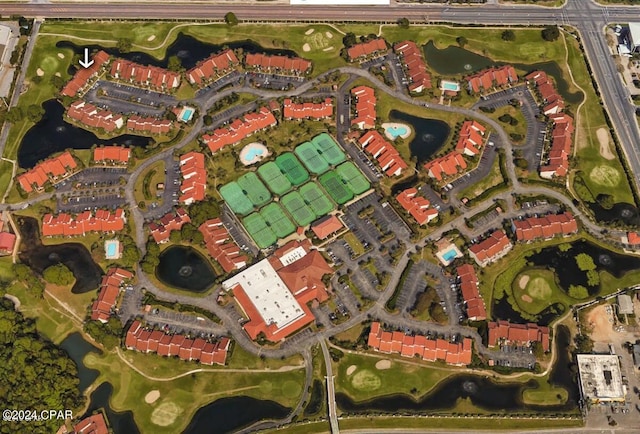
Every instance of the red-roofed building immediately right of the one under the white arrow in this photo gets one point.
(145, 75)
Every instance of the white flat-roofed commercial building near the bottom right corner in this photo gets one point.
(600, 378)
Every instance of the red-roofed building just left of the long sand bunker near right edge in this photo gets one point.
(561, 140)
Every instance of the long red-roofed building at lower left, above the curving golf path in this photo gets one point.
(207, 353)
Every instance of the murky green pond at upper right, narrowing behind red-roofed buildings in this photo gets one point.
(455, 60)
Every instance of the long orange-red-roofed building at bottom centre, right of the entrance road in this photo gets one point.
(409, 346)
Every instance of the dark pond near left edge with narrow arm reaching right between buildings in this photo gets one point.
(52, 134)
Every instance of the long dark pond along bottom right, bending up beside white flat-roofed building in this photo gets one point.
(479, 390)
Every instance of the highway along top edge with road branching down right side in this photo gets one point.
(588, 17)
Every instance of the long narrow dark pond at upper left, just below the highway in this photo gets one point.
(188, 49)
